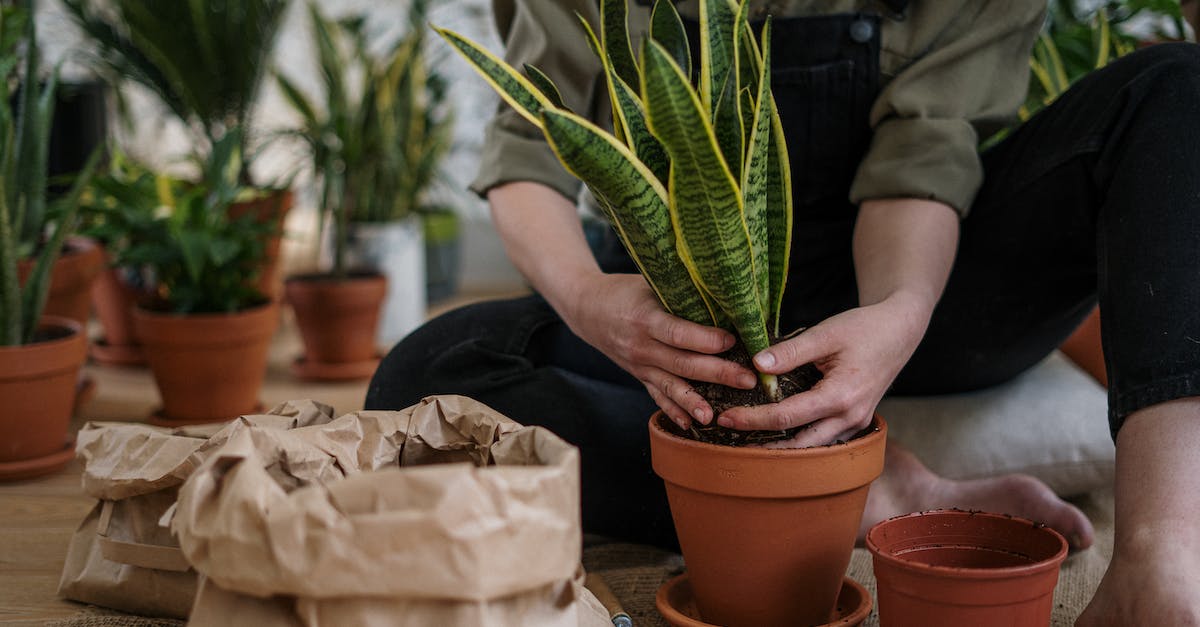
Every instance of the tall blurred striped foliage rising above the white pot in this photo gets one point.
(379, 140)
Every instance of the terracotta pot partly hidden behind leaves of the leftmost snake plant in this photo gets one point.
(71, 278)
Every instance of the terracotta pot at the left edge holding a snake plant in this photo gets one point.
(38, 389)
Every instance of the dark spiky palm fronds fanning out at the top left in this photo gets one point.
(205, 59)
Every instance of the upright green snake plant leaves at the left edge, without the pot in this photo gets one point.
(27, 229)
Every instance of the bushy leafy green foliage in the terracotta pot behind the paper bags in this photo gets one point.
(179, 236)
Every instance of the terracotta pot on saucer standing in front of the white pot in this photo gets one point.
(338, 321)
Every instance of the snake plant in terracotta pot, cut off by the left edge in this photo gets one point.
(40, 356)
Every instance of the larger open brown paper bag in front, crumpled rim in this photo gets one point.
(446, 513)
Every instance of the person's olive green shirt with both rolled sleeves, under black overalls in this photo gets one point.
(953, 73)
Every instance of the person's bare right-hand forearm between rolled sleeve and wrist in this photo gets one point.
(904, 248)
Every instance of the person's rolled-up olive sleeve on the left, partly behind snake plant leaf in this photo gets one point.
(548, 35)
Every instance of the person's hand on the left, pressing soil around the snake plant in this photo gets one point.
(620, 315)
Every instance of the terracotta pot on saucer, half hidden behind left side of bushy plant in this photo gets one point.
(115, 300)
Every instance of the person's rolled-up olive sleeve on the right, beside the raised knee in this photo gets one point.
(970, 75)
